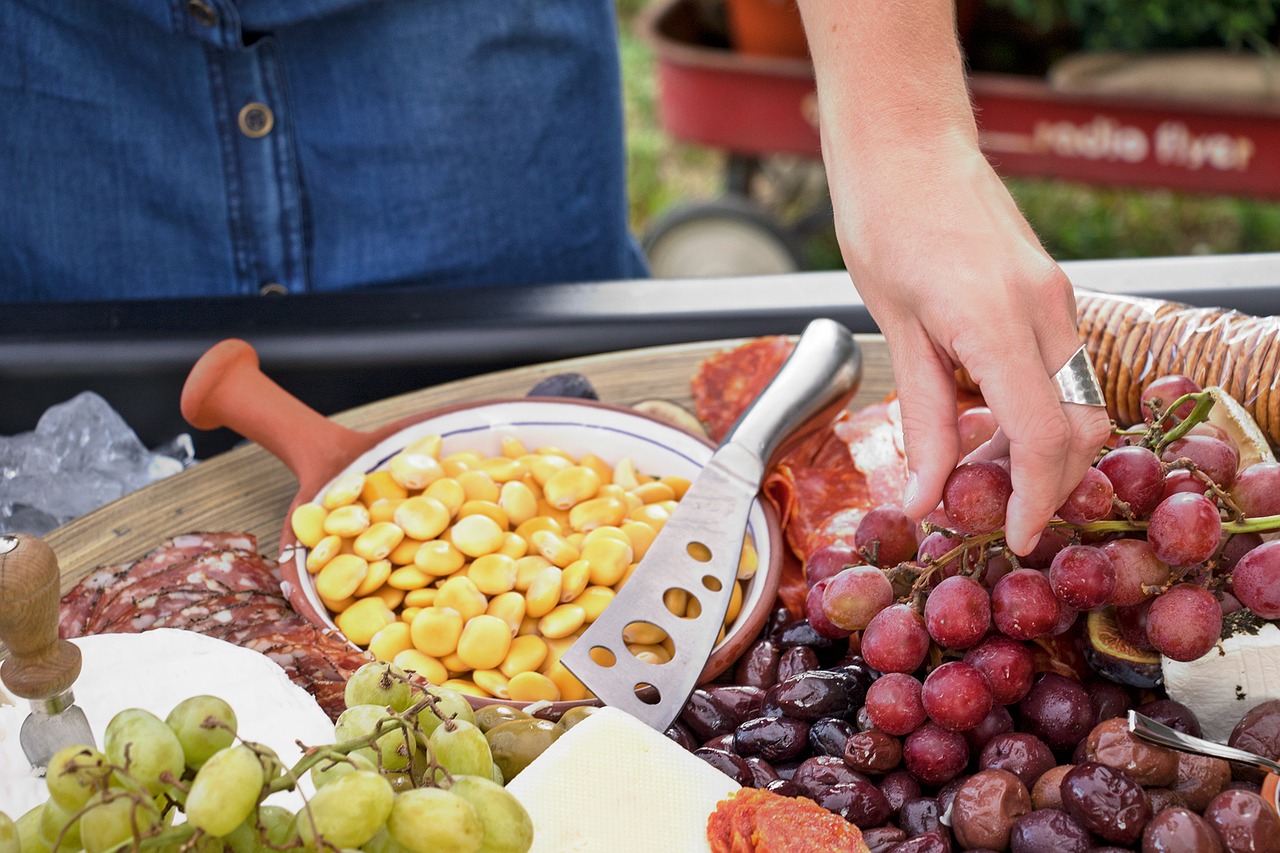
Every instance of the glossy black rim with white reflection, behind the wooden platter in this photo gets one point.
(337, 352)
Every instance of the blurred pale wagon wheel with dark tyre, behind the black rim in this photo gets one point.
(730, 236)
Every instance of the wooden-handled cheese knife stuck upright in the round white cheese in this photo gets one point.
(40, 668)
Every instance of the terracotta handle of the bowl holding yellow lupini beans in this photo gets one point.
(228, 389)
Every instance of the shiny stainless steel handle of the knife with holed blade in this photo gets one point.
(824, 371)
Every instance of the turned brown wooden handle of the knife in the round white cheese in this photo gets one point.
(40, 665)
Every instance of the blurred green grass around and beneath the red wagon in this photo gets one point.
(1073, 221)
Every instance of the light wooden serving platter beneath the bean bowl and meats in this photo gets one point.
(249, 491)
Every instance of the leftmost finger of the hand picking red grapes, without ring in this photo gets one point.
(927, 395)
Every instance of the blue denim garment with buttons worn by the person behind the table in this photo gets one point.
(196, 148)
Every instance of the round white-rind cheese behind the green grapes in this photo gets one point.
(157, 670)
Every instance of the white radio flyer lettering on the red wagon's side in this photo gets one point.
(1173, 144)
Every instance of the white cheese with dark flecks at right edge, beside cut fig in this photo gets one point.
(1238, 674)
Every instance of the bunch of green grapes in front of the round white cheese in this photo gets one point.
(409, 773)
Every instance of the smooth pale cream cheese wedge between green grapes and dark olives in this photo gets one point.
(614, 784)
